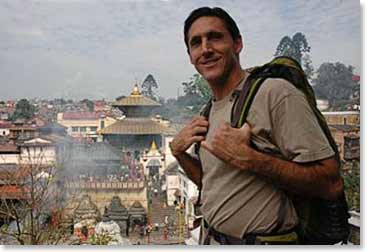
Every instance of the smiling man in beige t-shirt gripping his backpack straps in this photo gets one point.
(243, 187)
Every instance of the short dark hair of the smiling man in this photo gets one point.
(211, 12)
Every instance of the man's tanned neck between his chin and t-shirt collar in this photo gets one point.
(221, 90)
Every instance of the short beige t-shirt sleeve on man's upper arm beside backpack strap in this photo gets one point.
(296, 130)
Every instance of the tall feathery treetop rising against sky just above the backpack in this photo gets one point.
(293, 47)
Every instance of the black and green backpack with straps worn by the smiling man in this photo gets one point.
(322, 222)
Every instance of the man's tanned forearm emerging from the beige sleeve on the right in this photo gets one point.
(320, 179)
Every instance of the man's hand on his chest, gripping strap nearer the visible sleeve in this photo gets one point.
(231, 145)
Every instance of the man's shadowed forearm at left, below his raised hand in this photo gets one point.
(191, 166)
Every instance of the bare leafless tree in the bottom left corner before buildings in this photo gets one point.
(35, 197)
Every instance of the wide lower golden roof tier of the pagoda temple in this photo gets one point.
(137, 126)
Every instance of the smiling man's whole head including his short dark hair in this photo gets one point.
(213, 43)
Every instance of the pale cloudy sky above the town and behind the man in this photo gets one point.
(99, 49)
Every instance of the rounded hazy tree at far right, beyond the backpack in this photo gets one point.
(334, 82)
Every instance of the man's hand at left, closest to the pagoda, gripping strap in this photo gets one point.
(195, 131)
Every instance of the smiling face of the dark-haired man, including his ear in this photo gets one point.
(212, 50)
